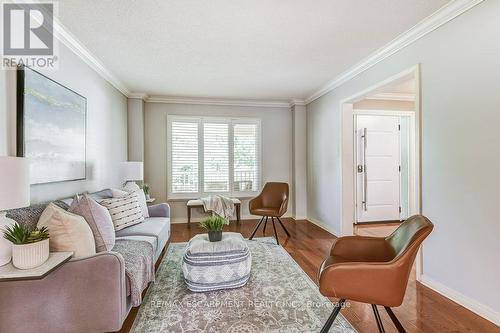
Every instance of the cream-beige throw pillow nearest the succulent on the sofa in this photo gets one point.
(67, 232)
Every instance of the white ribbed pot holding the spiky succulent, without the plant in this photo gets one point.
(32, 255)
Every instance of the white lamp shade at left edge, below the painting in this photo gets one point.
(14, 182)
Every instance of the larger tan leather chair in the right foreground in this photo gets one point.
(373, 270)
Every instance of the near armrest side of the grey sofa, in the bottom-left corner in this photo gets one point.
(85, 295)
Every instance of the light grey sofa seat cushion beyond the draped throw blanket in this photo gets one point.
(158, 227)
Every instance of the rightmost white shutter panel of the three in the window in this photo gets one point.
(246, 170)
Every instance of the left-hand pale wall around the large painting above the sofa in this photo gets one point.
(106, 126)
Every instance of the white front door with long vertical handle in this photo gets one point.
(378, 168)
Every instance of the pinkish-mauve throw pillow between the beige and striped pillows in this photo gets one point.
(99, 220)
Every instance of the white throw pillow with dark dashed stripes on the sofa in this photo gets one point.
(125, 211)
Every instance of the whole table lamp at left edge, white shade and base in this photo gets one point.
(14, 193)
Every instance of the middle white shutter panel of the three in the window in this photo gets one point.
(215, 157)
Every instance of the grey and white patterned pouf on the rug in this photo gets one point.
(219, 265)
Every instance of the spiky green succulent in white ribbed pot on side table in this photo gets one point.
(30, 246)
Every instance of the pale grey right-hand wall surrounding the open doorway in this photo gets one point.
(459, 64)
